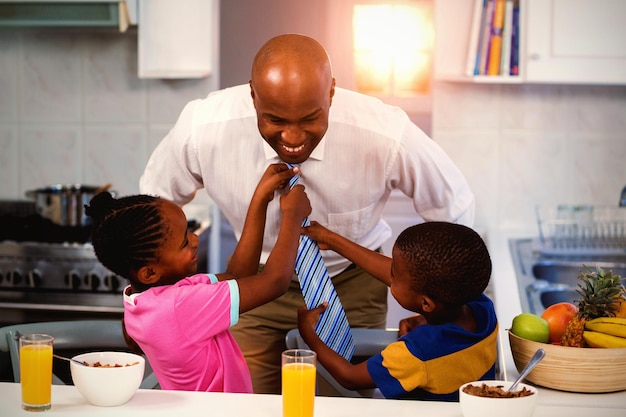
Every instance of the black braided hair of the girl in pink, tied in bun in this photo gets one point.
(126, 232)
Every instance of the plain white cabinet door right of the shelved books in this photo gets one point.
(576, 41)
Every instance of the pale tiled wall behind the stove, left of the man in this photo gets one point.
(72, 109)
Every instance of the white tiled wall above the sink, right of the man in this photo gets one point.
(523, 145)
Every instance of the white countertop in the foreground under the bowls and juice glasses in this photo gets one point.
(67, 401)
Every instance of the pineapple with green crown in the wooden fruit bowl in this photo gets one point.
(598, 291)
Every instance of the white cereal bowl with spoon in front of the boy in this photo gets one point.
(475, 406)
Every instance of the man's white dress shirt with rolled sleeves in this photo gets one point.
(369, 149)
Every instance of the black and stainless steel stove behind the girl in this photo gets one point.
(50, 272)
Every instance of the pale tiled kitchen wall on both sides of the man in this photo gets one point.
(72, 110)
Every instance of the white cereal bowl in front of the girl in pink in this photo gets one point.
(108, 385)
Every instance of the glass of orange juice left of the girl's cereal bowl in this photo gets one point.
(36, 371)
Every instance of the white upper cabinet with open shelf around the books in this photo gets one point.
(560, 41)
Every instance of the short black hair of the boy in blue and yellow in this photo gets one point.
(448, 262)
